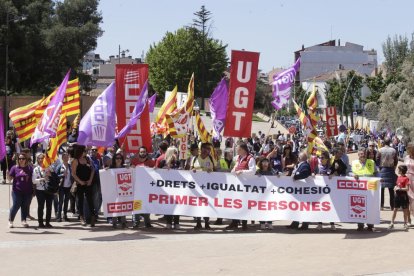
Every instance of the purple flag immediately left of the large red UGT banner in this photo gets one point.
(218, 107)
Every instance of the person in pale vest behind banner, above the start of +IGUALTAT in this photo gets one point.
(203, 162)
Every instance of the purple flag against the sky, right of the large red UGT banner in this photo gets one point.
(282, 85)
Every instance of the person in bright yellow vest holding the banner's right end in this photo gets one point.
(363, 167)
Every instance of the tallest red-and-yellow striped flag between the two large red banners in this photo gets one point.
(178, 122)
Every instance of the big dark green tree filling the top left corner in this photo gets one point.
(53, 38)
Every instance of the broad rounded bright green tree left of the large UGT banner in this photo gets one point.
(173, 60)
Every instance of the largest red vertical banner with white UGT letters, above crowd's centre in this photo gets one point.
(242, 90)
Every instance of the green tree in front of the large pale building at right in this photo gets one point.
(346, 88)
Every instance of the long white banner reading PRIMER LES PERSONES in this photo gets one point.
(225, 195)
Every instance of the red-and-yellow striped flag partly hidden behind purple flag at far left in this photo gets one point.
(25, 118)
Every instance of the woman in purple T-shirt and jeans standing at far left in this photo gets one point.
(22, 189)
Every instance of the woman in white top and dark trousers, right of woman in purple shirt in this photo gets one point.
(39, 179)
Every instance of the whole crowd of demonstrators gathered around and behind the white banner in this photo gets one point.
(76, 173)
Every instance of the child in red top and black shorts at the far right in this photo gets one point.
(401, 196)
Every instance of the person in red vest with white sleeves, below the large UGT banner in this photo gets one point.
(245, 165)
